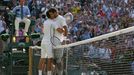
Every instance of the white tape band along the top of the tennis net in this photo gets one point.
(97, 38)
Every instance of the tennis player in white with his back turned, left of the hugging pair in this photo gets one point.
(46, 45)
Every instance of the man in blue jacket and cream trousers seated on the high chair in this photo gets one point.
(22, 13)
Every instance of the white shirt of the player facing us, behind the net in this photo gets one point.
(60, 21)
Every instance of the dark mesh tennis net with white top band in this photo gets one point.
(108, 54)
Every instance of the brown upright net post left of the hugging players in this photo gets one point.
(30, 60)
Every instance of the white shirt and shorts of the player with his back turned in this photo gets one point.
(46, 44)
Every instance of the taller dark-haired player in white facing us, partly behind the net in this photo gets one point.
(58, 37)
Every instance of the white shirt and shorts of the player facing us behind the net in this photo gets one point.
(60, 22)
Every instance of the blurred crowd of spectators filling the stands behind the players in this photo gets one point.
(91, 17)
